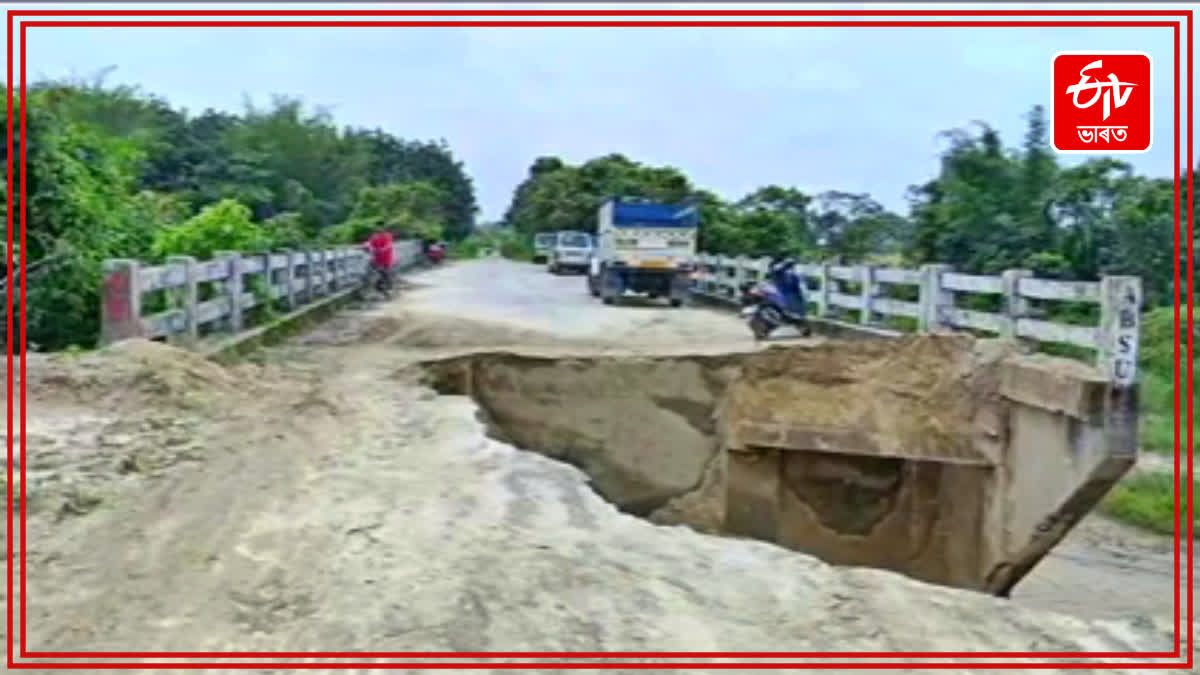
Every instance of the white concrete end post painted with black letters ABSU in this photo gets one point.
(1119, 330)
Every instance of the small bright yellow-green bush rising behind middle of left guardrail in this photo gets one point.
(225, 226)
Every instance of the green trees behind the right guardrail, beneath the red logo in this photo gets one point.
(992, 210)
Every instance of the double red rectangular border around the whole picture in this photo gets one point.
(928, 23)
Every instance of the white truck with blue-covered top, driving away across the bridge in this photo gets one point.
(644, 248)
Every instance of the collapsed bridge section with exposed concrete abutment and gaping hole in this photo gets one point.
(946, 458)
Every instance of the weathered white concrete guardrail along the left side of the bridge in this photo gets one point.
(293, 279)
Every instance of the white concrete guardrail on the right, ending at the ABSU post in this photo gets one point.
(1114, 338)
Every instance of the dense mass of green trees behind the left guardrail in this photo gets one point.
(117, 174)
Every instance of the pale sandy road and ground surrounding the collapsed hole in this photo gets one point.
(321, 499)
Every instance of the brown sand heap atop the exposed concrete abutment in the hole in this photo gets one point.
(915, 397)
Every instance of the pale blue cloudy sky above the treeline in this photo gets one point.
(819, 109)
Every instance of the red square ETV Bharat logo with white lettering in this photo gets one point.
(1102, 103)
